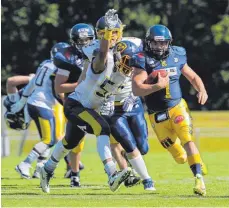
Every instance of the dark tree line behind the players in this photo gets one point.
(30, 28)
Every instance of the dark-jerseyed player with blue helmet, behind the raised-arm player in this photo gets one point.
(70, 62)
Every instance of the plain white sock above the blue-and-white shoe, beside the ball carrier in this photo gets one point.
(139, 165)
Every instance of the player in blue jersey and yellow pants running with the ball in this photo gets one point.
(168, 111)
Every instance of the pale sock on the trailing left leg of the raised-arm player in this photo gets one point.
(58, 153)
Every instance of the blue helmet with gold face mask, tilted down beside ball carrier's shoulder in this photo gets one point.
(123, 51)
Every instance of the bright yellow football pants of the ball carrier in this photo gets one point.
(174, 132)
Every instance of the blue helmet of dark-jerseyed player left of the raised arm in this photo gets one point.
(81, 35)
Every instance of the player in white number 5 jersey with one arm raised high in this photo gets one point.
(80, 110)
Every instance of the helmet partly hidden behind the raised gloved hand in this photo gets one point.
(100, 28)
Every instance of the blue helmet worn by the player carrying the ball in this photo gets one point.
(158, 38)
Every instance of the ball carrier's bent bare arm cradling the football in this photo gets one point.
(141, 89)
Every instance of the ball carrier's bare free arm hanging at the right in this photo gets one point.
(197, 83)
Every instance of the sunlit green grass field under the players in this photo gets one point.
(174, 182)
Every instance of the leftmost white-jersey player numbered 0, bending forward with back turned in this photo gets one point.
(40, 98)
